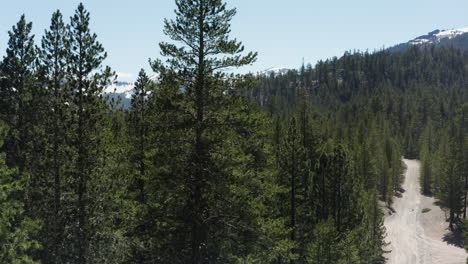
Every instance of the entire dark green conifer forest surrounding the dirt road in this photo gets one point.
(211, 167)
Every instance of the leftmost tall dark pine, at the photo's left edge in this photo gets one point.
(24, 113)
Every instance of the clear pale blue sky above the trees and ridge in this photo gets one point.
(283, 32)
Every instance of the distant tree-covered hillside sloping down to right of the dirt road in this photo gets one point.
(421, 95)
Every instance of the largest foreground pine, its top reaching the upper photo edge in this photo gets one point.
(221, 161)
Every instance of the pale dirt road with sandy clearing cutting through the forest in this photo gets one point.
(418, 237)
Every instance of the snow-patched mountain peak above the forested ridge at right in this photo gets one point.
(457, 38)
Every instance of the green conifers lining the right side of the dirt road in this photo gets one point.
(444, 165)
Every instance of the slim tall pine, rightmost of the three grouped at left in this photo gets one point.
(87, 82)
